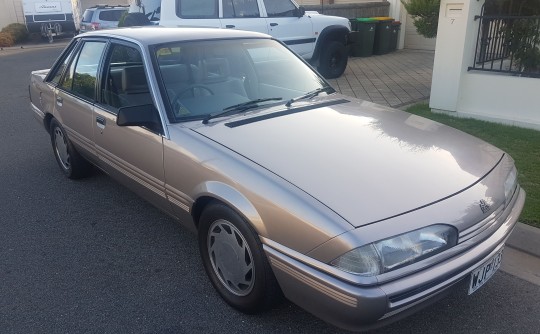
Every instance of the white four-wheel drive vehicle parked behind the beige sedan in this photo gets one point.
(320, 39)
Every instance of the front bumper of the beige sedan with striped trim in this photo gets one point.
(355, 307)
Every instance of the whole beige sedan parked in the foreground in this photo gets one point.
(359, 213)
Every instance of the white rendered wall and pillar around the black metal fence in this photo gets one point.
(489, 96)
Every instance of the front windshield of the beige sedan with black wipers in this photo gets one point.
(205, 78)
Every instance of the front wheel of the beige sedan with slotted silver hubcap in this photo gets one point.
(234, 260)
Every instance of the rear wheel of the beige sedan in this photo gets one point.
(71, 163)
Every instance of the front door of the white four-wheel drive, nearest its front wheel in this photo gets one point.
(284, 24)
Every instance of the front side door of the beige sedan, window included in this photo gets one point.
(131, 154)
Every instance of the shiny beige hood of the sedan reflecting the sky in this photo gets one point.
(364, 161)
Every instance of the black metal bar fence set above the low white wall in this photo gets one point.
(508, 44)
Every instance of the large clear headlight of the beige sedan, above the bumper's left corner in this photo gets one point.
(386, 255)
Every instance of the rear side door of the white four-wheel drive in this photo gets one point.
(243, 15)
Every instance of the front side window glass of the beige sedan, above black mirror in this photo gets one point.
(125, 80)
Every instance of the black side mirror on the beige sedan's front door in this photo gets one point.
(145, 115)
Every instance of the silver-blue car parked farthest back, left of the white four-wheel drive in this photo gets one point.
(102, 17)
